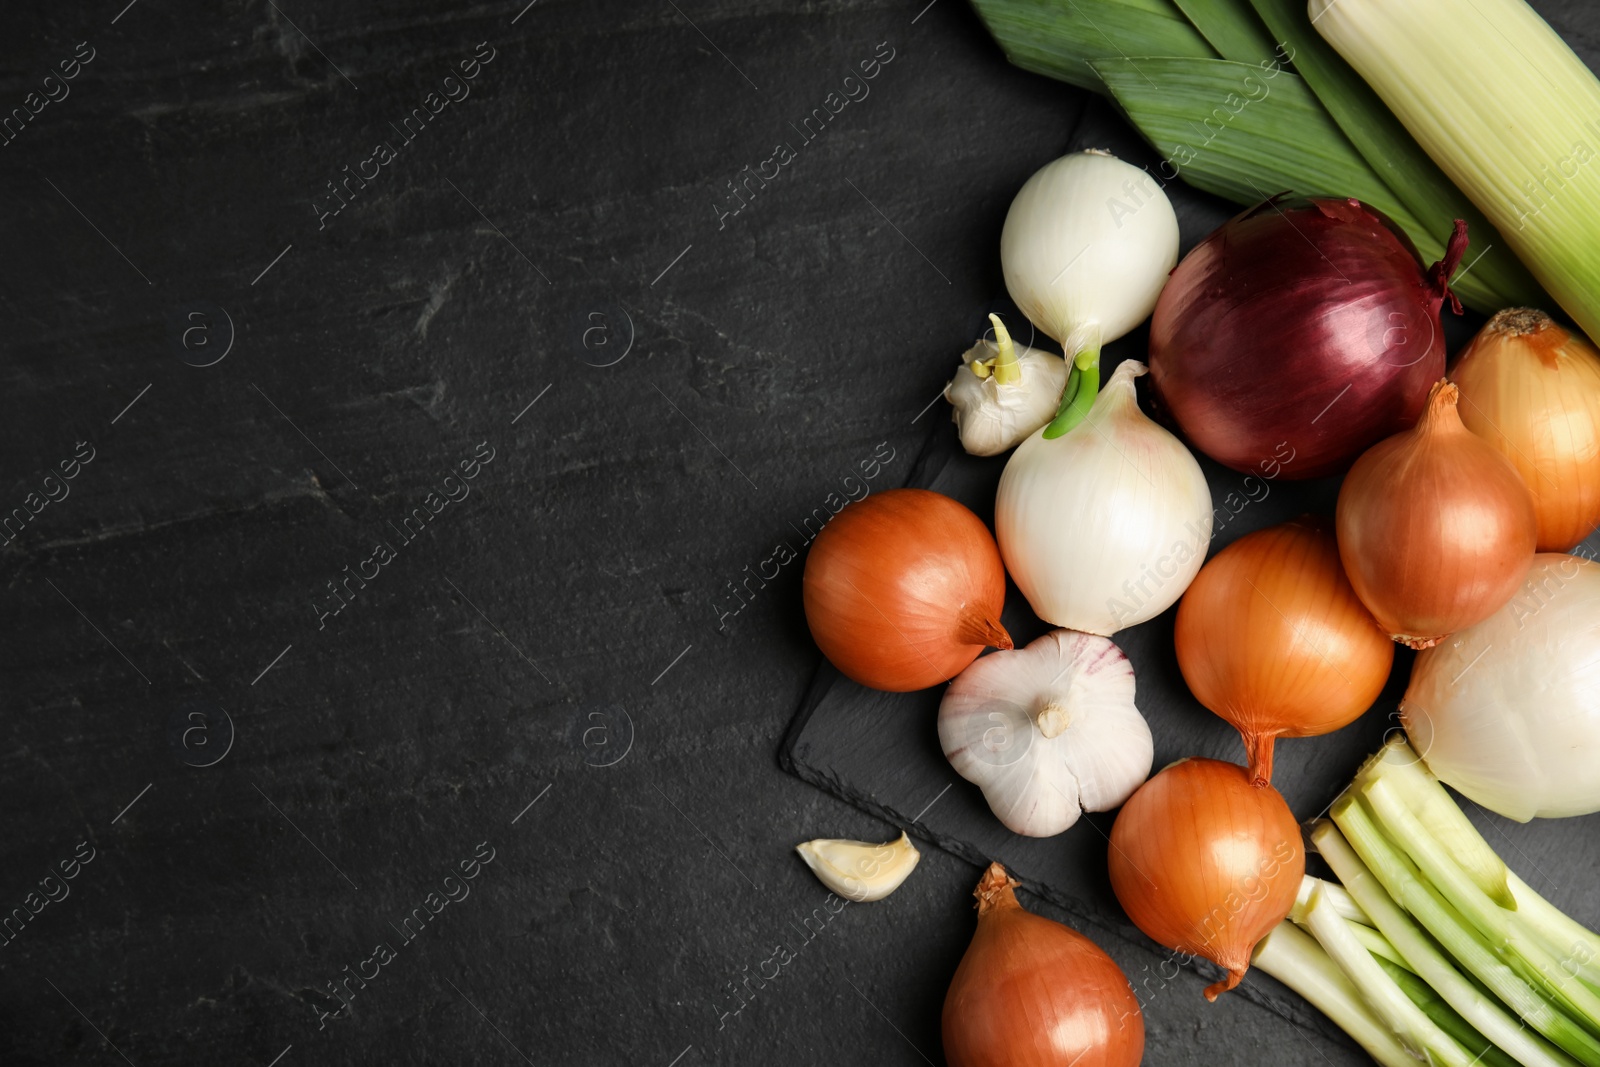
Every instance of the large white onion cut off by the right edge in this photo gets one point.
(1508, 711)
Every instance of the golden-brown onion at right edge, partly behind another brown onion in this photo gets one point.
(1532, 390)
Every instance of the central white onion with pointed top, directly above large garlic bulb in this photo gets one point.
(1108, 526)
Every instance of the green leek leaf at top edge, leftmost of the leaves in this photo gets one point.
(1060, 38)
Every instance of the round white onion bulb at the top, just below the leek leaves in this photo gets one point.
(1087, 247)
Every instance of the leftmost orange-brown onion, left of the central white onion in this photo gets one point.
(903, 589)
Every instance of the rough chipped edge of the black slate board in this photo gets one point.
(1287, 1005)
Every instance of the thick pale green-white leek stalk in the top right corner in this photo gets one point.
(1506, 110)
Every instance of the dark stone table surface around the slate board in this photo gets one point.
(393, 399)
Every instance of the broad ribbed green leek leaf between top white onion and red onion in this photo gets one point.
(1247, 134)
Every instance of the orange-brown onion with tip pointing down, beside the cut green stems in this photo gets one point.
(1207, 863)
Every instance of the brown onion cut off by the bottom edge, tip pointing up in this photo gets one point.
(1031, 993)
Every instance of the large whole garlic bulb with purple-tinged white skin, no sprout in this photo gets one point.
(1049, 732)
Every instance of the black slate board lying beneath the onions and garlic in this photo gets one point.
(881, 751)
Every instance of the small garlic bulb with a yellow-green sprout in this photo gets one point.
(1002, 394)
